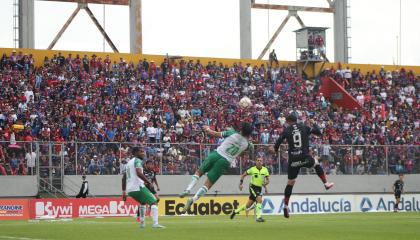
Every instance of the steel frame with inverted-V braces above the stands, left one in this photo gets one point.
(27, 19)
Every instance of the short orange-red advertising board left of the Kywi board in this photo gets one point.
(14, 209)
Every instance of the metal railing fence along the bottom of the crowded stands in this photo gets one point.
(54, 160)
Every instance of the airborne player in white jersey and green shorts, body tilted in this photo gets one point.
(218, 161)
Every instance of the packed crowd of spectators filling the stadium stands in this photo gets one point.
(80, 98)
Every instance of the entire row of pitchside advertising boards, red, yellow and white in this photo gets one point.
(224, 205)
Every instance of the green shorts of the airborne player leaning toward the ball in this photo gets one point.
(215, 166)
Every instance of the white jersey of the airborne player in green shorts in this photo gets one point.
(233, 145)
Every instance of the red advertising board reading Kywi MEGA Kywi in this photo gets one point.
(82, 207)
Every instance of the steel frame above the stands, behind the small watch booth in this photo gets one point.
(339, 8)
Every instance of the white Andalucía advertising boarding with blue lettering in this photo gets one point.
(311, 204)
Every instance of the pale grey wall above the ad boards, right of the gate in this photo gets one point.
(306, 184)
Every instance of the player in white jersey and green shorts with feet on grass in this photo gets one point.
(134, 182)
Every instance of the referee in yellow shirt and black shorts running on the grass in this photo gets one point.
(259, 178)
